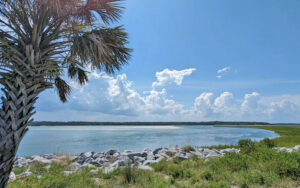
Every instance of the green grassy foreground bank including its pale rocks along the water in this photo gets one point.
(268, 163)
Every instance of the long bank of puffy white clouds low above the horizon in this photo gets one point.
(108, 98)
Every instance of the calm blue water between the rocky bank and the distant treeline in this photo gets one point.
(77, 139)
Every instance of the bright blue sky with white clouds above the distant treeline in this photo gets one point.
(182, 45)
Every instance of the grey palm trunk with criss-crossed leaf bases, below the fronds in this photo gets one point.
(17, 109)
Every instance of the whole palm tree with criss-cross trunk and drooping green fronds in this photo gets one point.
(40, 41)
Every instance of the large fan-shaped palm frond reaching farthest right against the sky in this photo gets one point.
(103, 48)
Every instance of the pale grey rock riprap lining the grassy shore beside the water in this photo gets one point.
(113, 159)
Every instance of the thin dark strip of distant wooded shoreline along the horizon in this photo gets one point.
(219, 123)
